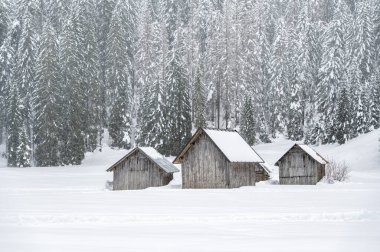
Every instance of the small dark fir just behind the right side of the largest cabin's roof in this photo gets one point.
(247, 122)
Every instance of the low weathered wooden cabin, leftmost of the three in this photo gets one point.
(141, 168)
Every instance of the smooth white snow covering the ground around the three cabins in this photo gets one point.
(69, 209)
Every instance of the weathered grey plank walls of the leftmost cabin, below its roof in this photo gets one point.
(139, 172)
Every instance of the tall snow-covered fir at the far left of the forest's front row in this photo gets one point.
(19, 84)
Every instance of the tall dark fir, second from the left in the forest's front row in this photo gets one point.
(47, 100)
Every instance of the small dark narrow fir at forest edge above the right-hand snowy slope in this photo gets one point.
(343, 117)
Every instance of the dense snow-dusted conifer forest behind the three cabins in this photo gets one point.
(149, 72)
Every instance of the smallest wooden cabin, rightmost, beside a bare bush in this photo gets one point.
(301, 165)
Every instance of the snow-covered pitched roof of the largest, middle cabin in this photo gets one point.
(229, 142)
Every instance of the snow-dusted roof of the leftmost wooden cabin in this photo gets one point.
(153, 155)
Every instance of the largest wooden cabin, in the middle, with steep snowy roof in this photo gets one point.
(218, 159)
